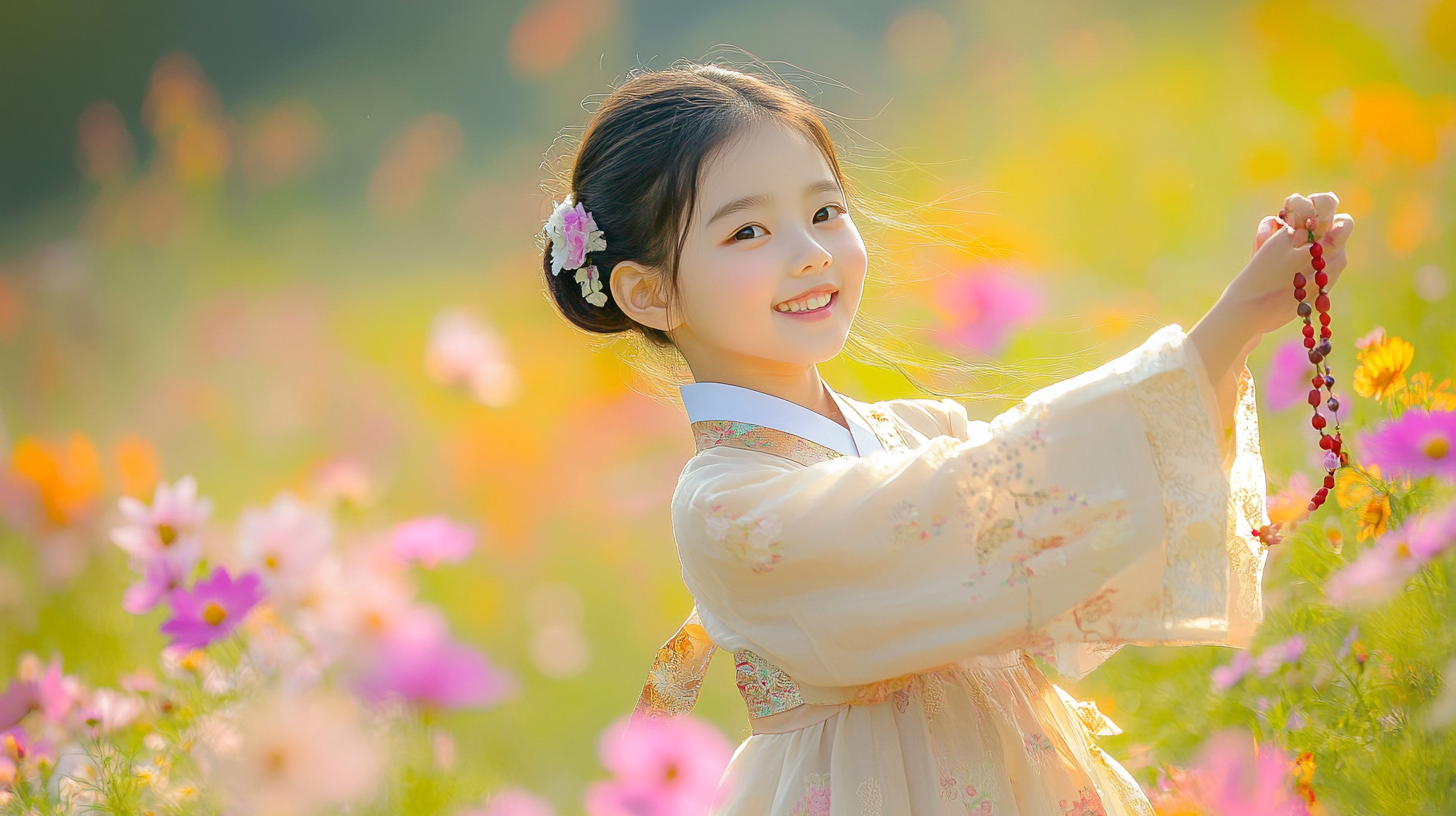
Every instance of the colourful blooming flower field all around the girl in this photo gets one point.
(309, 503)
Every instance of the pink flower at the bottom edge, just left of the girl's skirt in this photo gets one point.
(662, 767)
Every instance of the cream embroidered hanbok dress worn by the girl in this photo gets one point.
(885, 588)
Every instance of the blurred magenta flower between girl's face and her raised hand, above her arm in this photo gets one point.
(985, 307)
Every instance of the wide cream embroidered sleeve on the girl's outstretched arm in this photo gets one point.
(1104, 511)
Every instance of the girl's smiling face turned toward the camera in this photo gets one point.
(772, 269)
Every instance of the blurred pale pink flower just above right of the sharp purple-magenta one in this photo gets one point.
(286, 544)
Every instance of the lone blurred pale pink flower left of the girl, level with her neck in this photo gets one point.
(470, 353)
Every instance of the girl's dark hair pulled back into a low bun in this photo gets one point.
(637, 171)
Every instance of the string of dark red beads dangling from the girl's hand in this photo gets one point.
(1320, 350)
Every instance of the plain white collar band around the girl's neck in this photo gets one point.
(737, 404)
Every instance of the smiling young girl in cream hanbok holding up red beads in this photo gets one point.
(883, 572)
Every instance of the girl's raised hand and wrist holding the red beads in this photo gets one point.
(1263, 292)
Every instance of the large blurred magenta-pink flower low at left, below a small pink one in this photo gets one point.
(424, 667)
